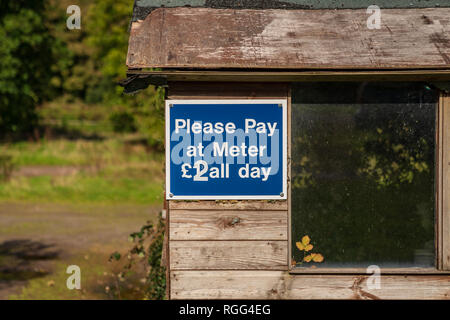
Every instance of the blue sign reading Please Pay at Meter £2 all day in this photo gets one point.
(226, 149)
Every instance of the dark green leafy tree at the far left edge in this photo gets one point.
(26, 58)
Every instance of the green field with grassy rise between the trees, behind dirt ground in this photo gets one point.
(80, 159)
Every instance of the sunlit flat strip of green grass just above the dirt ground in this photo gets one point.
(109, 171)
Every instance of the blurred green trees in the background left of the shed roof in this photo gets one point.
(42, 61)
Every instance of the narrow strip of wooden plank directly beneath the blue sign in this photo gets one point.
(228, 205)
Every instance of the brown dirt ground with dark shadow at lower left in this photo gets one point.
(38, 241)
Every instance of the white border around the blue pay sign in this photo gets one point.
(283, 102)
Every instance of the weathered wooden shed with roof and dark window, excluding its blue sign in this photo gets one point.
(367, 160)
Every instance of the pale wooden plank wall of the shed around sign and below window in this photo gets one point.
(239, 249)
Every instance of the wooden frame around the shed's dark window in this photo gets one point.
(442, 203)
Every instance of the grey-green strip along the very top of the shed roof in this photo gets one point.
(142, 8)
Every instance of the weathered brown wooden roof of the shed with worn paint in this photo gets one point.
(211, 41)
